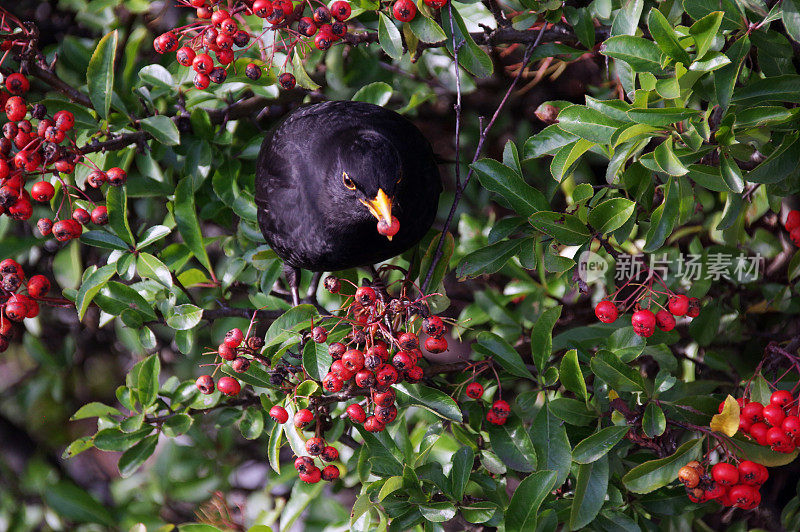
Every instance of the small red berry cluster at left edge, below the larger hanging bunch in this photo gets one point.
(15, 305)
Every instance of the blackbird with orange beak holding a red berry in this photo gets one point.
(331, 174)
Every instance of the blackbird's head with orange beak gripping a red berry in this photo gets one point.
(369, 173)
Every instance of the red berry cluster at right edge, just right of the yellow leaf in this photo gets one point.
(775, 425)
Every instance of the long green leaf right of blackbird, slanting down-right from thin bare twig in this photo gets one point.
(505, 182)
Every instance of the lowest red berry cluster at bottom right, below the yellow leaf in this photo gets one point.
(726, 483)
